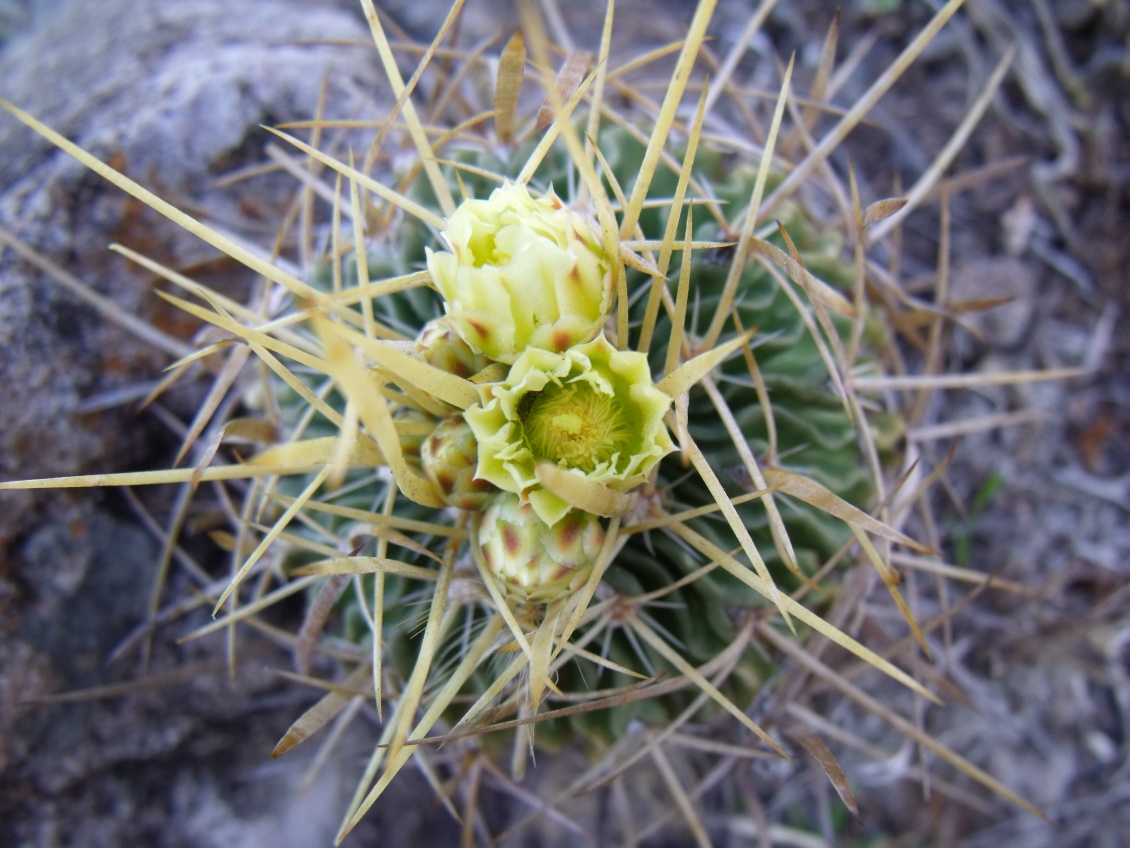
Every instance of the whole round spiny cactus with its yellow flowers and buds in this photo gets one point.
(569, 426)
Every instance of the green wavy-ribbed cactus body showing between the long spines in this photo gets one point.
(814, 435)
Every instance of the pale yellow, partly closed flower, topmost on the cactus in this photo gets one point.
(523, 272)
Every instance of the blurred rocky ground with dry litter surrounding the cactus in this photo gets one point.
(178, 755)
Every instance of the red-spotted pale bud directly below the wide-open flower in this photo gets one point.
(534, 563)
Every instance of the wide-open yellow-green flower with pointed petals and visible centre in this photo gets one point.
(593, 411)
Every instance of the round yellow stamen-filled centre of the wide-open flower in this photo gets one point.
(575, 426)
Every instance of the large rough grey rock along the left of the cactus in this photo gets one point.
(173, 96)
